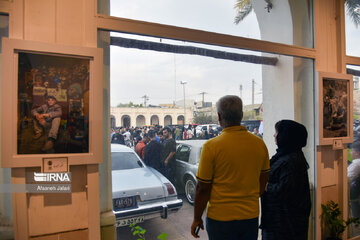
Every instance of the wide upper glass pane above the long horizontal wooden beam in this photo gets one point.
(251, 19)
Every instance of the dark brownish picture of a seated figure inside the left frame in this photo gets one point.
(53, 114)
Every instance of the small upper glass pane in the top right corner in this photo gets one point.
(352, 33)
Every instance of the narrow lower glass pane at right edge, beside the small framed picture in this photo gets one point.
(354, 155)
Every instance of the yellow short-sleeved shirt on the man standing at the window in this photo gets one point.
(232, 162)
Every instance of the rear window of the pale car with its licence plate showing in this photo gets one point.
(124, 160)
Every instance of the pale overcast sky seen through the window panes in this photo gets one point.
(135, 73)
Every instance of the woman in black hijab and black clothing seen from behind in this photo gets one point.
(286, 204)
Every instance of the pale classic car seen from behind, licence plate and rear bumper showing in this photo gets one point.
(139, 192)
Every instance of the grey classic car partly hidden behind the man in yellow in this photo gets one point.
(187, 161)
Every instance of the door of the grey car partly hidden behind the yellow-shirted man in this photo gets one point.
(182, 161)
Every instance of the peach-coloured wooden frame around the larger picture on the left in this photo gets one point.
(10, 104)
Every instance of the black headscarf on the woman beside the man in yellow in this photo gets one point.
(291, 137)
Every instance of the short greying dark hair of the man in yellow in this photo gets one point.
(230, 110)
